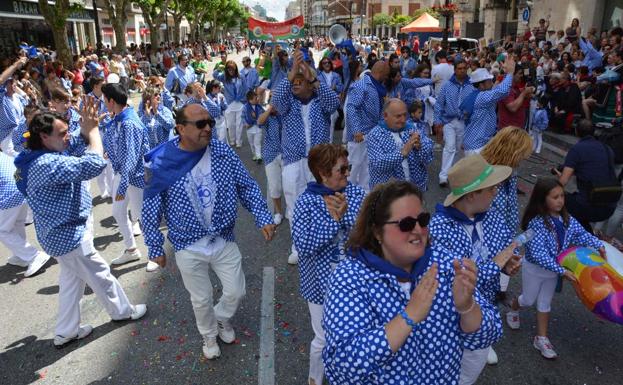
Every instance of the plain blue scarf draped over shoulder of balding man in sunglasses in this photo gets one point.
(169, 163)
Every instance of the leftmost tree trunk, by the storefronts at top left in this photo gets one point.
(56, 16)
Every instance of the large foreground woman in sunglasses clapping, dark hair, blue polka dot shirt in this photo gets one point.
(399, 311)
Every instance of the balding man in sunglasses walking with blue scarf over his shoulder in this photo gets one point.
(196, 181)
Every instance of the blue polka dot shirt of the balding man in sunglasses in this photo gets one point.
(233, 183)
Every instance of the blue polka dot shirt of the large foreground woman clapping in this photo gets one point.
(361, 301)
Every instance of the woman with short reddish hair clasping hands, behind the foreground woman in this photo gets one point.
(323, 216)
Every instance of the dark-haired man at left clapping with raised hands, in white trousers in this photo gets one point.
(50, 174)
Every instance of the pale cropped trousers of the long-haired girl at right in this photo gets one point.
(537, 284)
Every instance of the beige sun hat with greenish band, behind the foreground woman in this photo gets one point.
(471, 174)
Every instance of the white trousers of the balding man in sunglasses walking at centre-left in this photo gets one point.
(195, 270)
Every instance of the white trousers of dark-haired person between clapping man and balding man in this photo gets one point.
(134, 200)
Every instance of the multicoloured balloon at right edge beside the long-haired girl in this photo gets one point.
(600, 286)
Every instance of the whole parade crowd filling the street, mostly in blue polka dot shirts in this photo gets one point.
(396, 295)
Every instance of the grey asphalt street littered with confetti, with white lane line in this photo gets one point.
(165, 347)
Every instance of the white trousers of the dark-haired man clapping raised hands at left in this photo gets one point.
(81, 266)
